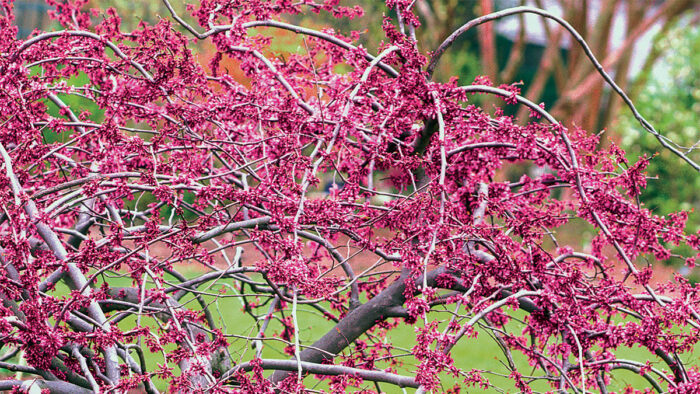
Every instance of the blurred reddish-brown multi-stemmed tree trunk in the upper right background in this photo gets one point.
(581, 95)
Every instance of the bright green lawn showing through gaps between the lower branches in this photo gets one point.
(481, 353)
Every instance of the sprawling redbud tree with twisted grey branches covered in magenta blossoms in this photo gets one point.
(141, 190)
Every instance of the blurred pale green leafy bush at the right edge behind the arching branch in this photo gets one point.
(670, 100)
